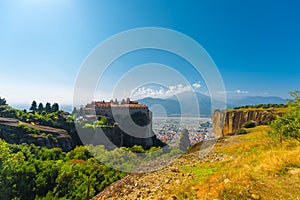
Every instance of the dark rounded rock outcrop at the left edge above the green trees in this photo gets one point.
(47, 136)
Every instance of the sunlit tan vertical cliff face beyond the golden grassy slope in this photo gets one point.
(230, 121)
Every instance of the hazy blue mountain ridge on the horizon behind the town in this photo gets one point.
(185, 104)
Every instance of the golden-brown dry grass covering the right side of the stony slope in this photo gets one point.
(256, 168)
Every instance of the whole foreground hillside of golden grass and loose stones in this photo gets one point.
(250, 166)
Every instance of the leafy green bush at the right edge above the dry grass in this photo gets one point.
(288, 125)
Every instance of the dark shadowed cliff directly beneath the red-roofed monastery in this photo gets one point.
(131, 130)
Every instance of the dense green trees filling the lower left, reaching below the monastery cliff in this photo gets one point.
(32, 172)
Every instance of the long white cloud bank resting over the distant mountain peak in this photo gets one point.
(143, 92)
